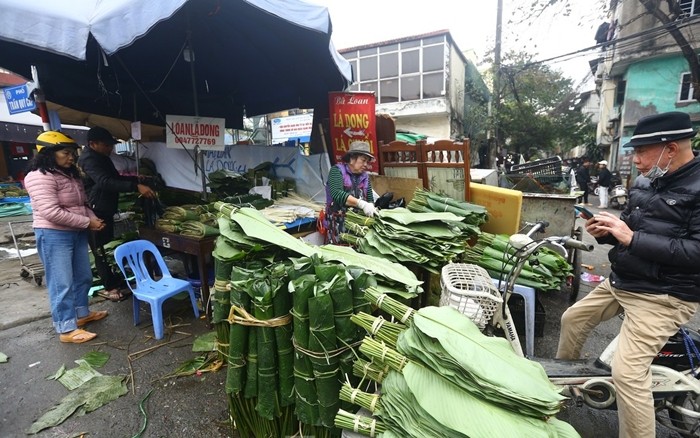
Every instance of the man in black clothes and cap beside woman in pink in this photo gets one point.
(103, 184)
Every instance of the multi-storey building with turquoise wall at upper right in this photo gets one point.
(643, 71)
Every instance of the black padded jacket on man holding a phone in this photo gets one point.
(664, 255)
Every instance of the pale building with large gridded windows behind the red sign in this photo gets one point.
(425, 83)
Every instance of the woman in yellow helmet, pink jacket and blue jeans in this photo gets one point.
(61, 223)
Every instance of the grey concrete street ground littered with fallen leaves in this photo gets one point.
(185, 406)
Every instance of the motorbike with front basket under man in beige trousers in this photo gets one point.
(675, 370)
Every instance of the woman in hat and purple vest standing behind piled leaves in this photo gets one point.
(348, 186)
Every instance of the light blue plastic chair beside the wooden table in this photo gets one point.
(145, 288)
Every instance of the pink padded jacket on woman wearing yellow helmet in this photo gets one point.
(58, 201)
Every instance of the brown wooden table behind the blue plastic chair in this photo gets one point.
(200, 248)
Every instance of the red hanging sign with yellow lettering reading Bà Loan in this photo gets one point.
(352, 118)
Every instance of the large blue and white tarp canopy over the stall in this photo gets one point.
(132, 59)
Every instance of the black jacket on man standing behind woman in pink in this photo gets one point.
(103, 183)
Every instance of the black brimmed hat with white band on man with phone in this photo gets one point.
(661, 128)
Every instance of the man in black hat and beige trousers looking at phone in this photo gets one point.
(655, 278)
